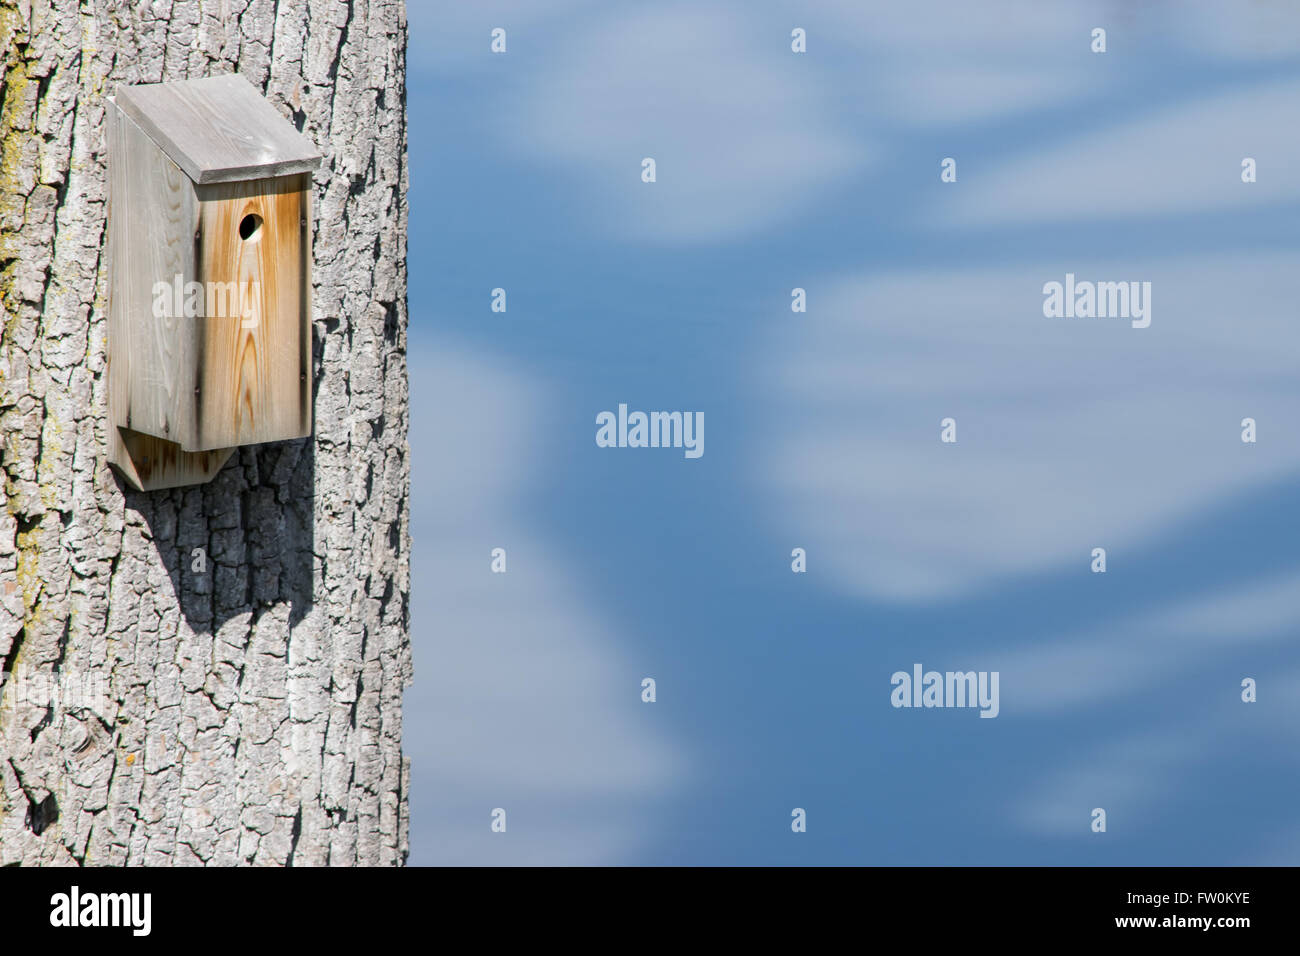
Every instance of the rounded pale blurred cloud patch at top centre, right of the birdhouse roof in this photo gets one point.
(740, 139)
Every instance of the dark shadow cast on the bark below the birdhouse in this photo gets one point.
(244, 543)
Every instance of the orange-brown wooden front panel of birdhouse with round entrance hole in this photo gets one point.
(254, 261)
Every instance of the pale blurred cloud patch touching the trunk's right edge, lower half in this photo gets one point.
(523, 699)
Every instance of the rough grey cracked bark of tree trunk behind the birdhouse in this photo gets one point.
(252, 711)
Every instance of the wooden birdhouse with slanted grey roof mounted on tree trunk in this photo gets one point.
(210, 278)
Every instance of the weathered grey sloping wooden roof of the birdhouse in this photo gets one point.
(219, 129)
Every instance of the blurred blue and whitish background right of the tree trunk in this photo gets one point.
(821, 171)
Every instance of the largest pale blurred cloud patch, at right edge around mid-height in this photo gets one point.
(1072, 432)
